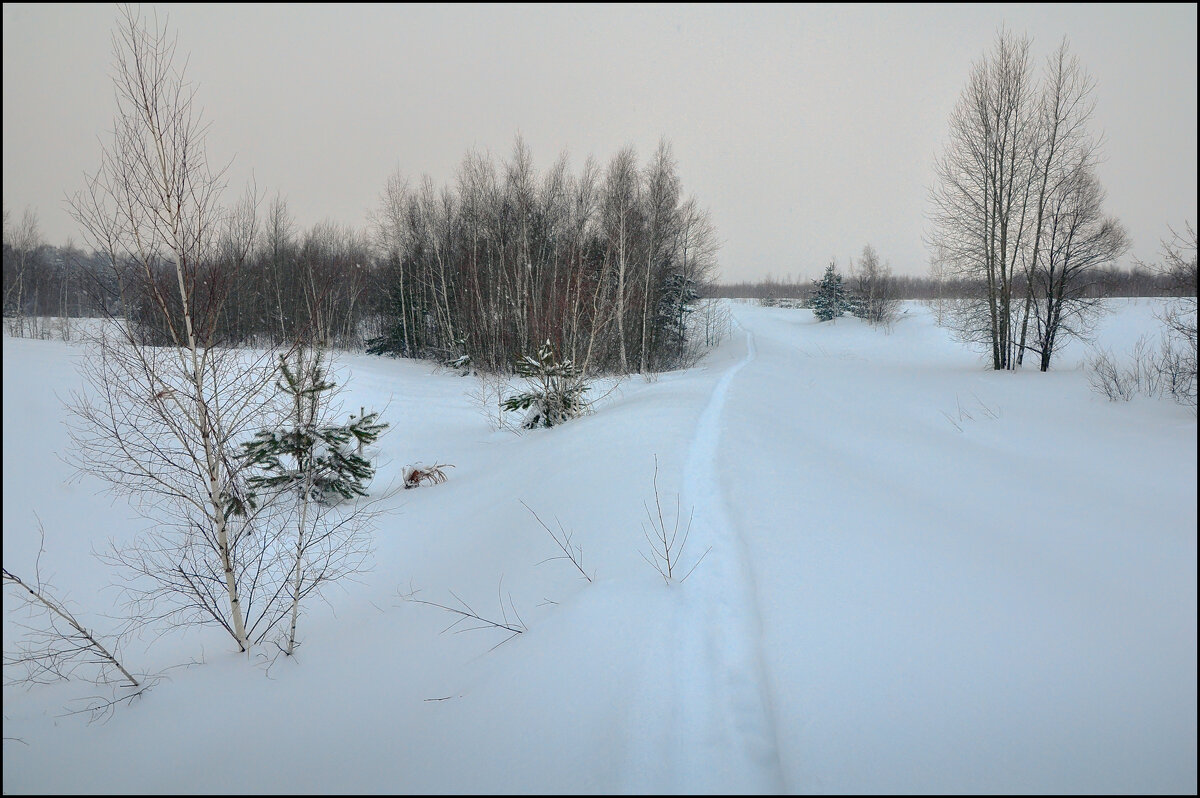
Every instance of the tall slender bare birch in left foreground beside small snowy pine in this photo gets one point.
(163, 423)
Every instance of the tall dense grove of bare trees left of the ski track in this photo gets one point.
(605, 266)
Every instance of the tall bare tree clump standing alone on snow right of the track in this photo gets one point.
(1018, 208)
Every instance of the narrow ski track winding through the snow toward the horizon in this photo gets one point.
(724, 739)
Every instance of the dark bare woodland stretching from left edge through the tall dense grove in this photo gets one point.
(604, 265)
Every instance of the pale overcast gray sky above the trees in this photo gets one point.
(808, 131)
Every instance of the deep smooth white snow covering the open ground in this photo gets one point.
(922, 577)
